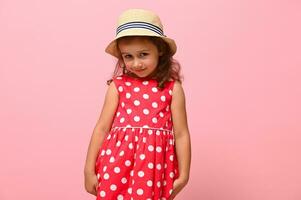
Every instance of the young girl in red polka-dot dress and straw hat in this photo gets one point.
(140, 147)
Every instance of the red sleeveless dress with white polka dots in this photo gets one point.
(137, 159)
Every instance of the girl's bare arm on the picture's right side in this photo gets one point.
(181, 132)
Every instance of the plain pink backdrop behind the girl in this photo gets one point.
(241, 61)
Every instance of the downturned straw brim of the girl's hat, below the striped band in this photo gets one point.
(114, 51)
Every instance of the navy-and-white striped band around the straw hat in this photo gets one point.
(143, 25)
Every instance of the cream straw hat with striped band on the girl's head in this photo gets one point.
(139, 22)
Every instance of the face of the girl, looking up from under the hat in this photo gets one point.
(139, 55)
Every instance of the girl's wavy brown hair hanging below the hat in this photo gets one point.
(168, 68)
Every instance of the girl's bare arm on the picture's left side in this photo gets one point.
(103, 126)
